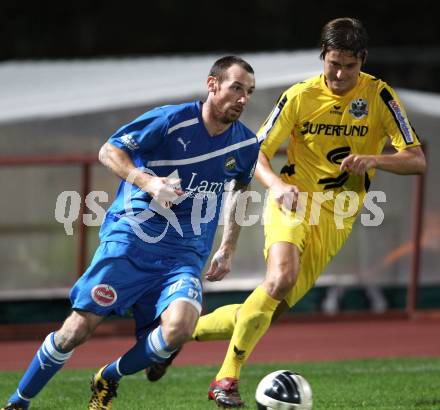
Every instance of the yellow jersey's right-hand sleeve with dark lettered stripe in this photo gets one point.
(395, 121)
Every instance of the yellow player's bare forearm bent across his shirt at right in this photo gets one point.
(405, 162)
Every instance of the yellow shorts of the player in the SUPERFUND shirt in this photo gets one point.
(317, 244)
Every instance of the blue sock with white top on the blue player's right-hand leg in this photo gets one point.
(149, 349)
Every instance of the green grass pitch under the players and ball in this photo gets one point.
(386, 384)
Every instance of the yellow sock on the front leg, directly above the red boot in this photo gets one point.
(253, 322)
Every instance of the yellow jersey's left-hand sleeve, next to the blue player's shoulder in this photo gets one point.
(277, 127)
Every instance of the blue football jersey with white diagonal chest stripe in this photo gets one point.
(172, 141)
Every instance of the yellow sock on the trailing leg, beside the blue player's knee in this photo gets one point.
(217, 325)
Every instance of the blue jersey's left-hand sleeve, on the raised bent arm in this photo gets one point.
(143, 134)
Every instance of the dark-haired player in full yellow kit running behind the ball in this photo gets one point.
(336, 125)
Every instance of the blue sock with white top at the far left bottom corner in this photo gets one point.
(46, 362)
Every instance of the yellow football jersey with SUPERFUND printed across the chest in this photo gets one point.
(323, 128)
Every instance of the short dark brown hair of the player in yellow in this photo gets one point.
(345, 33)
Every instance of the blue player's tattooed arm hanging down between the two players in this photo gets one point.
(222, 259)
